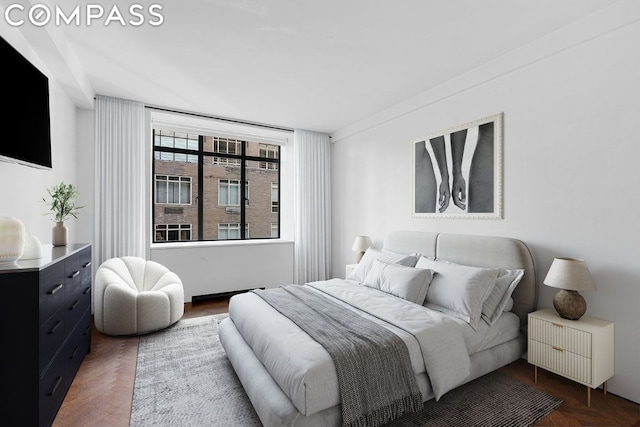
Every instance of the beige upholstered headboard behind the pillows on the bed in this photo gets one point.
(478, 251)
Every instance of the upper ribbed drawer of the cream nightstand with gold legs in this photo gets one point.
(560, 336)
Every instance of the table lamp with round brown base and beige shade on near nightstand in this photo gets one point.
(570, 275)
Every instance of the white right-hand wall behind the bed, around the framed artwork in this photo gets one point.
(571, 104)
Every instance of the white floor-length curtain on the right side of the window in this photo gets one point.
(312, 206)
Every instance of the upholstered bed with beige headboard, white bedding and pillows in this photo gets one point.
(292, 380)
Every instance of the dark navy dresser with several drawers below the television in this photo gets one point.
(46, 307)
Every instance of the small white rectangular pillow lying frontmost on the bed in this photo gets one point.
(405, 282)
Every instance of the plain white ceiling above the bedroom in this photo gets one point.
(319, 65)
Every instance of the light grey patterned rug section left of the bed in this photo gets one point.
(183, 378)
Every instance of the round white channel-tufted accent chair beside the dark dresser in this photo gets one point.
(133, 296)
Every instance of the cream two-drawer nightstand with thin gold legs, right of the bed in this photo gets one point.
(581, 350)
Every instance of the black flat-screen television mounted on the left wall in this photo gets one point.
(25, 128)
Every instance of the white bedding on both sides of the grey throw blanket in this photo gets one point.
(304, 370)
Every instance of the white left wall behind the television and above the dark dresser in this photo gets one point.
(24, 187)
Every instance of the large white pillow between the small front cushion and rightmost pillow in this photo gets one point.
(458, 289)
